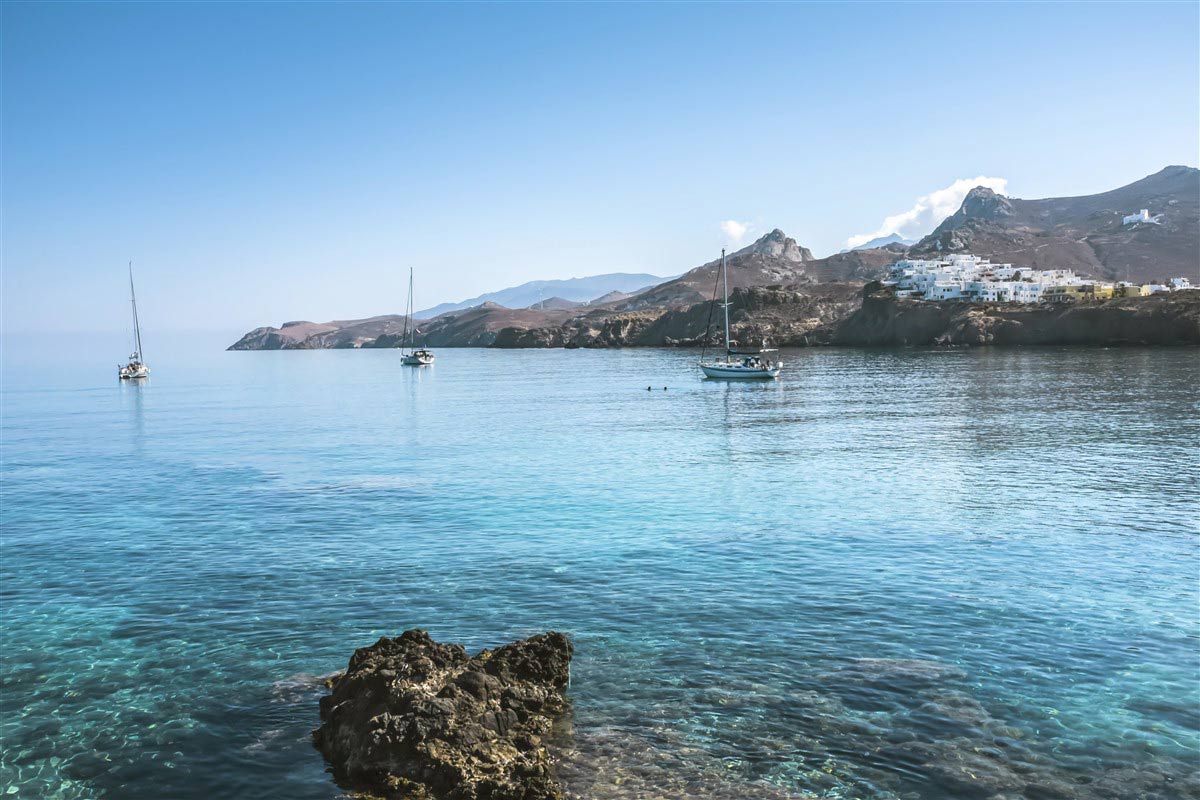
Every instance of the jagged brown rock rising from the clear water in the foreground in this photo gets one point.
(416, 719)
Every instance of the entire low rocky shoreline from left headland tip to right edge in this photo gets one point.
(841, 315)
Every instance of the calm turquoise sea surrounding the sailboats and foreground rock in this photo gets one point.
(890, 575)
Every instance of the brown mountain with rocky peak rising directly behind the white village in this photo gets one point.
(1084, 233)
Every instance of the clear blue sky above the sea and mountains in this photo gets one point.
(274, 161)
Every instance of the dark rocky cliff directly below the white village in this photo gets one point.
(885, 321)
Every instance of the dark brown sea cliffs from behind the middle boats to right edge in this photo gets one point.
(845, 315)
